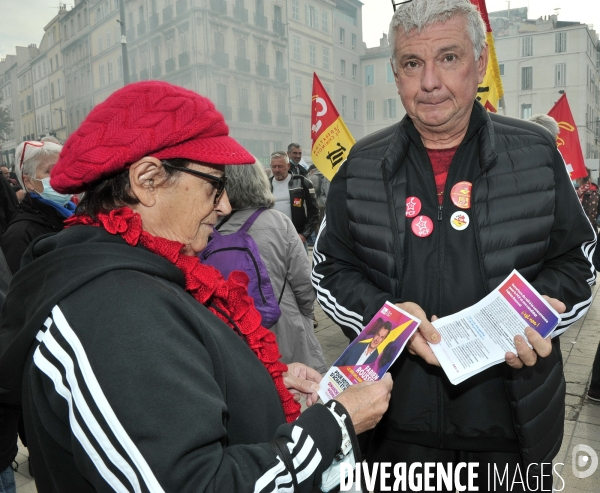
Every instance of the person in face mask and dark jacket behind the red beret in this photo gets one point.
(42, 210)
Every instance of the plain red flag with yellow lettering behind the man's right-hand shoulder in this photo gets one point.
(568, 138)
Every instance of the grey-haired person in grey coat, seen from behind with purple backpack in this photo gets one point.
(283, 253)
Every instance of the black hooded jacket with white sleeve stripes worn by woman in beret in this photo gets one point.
(129, 384)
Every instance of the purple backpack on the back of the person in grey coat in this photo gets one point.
(238, 251)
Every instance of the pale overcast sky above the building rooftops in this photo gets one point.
(22, 21)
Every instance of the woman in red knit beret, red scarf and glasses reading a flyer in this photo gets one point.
(144, 369)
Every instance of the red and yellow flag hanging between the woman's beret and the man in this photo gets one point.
(331, 139)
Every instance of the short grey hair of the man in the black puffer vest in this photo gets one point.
(420, 14)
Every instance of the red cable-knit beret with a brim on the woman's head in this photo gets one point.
(151, 118)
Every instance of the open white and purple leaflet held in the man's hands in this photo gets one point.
(479, 336)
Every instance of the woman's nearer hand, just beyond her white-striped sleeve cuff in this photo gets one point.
(366, 402)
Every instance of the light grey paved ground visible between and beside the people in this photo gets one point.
(582, 421)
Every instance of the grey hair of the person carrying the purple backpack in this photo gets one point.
(248, 187)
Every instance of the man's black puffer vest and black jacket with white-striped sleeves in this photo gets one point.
(524, 215)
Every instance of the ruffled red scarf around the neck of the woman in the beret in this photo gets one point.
(228, 300)
